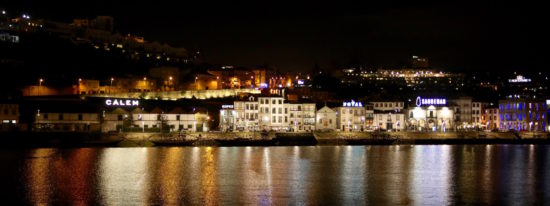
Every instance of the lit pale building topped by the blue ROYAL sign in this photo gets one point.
(351, 116)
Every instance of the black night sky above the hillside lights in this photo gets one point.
(483, 35)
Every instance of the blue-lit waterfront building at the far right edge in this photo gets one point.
(521, 114)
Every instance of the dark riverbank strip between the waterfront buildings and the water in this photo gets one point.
(266, 139)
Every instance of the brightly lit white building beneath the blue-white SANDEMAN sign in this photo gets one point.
(433, 114)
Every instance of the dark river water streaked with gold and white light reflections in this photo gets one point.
(317, 175)
